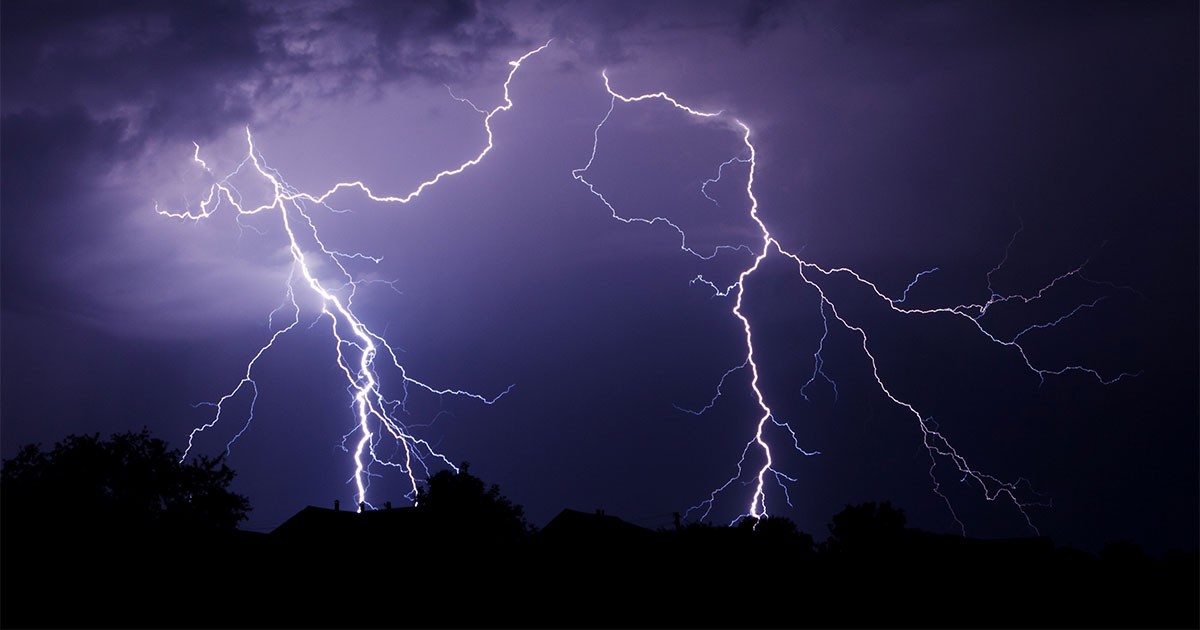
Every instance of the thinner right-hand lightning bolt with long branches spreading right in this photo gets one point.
(765, 428)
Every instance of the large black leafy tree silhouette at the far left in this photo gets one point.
(129, 483)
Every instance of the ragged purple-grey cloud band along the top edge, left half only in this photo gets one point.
(195, 69)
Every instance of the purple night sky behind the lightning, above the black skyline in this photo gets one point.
(891, 139)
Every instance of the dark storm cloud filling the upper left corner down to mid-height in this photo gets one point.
(94, 89)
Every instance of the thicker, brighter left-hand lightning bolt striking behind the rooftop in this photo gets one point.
(358, 347)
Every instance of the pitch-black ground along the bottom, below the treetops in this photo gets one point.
(352, 571)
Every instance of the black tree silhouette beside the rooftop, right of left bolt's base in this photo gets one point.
(465, 507)
